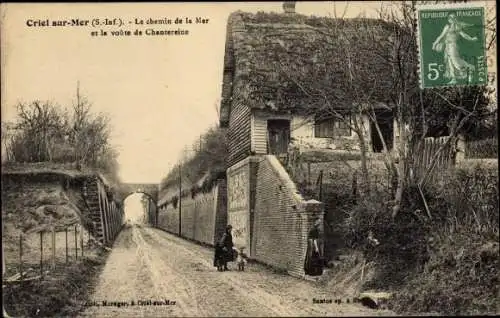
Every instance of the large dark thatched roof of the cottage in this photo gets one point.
(271, 54)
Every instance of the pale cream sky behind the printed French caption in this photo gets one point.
(161, 92)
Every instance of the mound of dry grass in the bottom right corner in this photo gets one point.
(459, 279)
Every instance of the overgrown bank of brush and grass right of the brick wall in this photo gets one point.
(445, 260)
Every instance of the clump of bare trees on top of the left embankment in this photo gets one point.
(45, 132)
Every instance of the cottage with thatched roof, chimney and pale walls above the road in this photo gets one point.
(282, 70)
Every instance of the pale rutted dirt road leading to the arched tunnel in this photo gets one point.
(151, 273)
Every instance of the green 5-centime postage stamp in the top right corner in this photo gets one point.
(451, 41)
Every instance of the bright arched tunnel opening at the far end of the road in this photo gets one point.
(139, 208)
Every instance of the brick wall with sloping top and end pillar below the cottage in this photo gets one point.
(282, 218)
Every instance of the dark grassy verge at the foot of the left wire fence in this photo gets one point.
(62, 292)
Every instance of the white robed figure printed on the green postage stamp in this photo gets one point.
(455, 66)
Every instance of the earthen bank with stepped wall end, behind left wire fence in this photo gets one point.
(54, 199)
